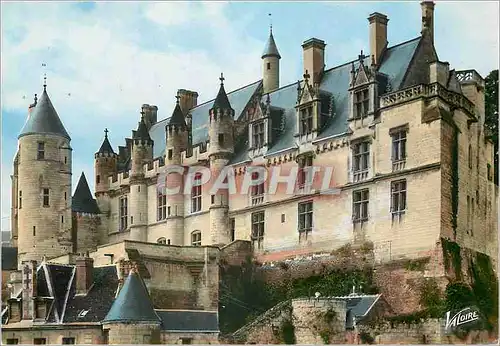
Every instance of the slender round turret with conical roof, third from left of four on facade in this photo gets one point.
(177, 138)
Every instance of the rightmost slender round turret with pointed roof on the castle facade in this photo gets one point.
(221, 137)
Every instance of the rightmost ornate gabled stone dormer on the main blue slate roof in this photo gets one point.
(363, 93)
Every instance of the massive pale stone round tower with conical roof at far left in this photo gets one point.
(44, 180)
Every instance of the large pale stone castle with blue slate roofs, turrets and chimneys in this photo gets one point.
(404, 133)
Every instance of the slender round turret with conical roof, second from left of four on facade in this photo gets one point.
(142, 153)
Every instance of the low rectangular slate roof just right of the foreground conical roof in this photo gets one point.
(186, 321)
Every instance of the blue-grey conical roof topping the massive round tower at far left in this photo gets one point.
(43, 119)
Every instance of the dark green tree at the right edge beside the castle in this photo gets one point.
(491, 113)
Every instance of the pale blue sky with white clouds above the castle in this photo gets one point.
(105, 59)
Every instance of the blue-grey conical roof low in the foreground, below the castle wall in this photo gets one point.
(133, 303)
